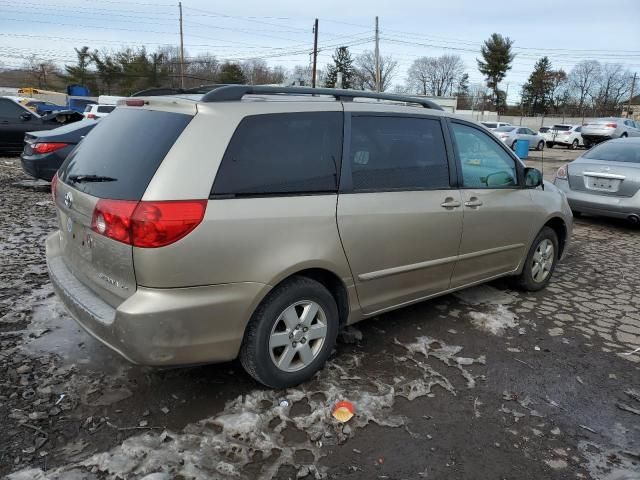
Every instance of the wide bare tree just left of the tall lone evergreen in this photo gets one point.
(436, 76)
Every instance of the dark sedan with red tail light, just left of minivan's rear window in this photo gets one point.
(45, 151)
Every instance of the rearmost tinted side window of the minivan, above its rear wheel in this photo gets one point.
(283, 153)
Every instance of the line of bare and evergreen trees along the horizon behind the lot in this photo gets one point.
(590, 87)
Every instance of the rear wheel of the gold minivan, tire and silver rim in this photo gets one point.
(267, 328)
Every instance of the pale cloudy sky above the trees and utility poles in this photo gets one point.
(281, 32)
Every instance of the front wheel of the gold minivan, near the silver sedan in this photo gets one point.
(530, 280)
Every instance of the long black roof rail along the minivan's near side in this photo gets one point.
(236, 92)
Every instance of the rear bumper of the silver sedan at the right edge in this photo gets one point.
(605, 205)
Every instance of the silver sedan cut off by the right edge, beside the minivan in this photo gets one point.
(605, 180)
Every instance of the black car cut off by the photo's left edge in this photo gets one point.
(16, 120)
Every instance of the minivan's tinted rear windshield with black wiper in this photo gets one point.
(124, 151)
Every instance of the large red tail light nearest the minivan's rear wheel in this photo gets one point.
(147, 224)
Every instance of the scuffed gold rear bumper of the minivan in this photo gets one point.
(160, 327)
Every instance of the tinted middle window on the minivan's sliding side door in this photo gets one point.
(397, 153)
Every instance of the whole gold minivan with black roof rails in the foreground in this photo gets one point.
(257, 221)
